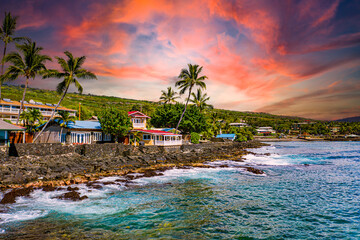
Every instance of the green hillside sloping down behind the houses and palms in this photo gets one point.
(90, 104)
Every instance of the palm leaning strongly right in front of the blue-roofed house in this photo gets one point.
(71, 69)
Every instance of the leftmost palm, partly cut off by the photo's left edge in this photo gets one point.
(6, 32)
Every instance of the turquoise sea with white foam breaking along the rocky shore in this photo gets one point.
(311, 190)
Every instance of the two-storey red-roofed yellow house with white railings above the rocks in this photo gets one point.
(163, 137)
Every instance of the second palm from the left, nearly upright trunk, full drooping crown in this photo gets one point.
(30, 64)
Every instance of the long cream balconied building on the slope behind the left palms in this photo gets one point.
(9, 109)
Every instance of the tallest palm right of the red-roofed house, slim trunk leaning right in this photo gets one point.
(190, 78)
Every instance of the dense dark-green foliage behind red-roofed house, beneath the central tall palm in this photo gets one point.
(168, 115)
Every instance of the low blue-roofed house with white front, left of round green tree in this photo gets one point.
(78, 132)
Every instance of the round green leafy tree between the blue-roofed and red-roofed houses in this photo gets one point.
(115, 122)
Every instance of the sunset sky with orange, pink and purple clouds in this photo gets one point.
(287, 57)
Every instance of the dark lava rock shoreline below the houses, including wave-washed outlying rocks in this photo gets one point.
(54, 166)
